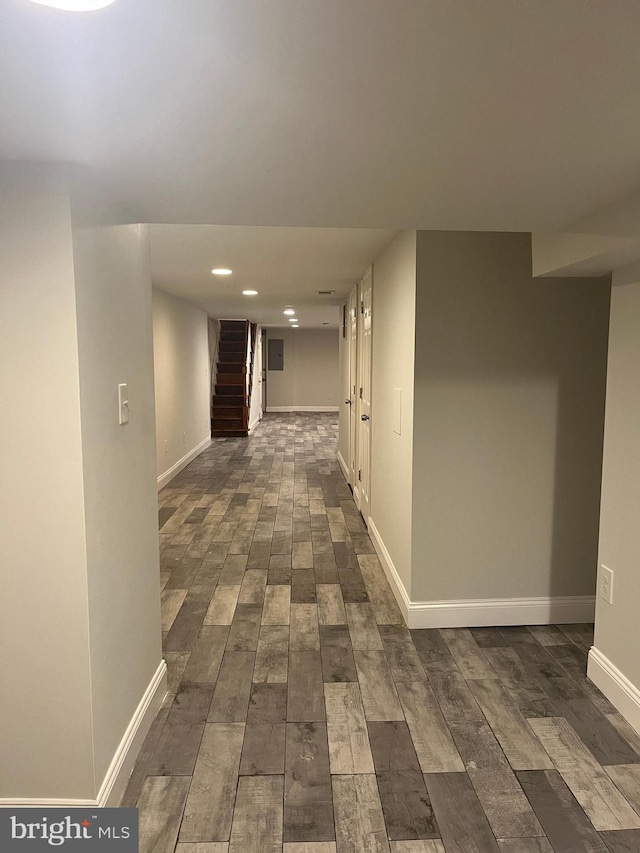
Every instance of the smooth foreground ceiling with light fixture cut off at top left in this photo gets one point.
(335, 113)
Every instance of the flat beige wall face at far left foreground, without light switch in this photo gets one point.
(45, 714)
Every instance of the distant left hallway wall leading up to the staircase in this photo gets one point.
(182, 379)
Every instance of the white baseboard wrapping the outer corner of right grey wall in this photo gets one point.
(478, 612)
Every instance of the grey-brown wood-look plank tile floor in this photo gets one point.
(304, 717)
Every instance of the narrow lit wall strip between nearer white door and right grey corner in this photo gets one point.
(394, 307)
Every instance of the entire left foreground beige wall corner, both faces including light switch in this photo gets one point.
(79, 549)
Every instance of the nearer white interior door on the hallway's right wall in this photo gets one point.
(365, 318)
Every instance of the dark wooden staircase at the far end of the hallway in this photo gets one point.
(232, 398)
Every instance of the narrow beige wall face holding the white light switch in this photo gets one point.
(113, 303)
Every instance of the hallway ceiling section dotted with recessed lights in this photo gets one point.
(285, 265)
